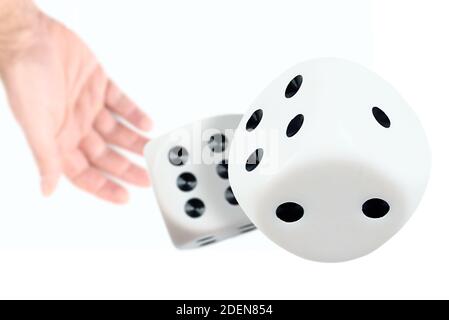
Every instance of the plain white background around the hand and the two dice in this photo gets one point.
(185, 60)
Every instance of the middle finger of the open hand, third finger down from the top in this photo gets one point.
(111, 162)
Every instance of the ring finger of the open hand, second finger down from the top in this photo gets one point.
(116, 133)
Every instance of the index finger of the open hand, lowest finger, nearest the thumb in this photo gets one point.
(90, 179)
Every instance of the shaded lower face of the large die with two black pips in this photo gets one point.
(317, 212)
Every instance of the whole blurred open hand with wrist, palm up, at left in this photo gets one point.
(71, 113)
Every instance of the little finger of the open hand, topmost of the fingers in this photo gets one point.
(120, 104)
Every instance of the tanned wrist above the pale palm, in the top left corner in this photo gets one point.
(19, 25)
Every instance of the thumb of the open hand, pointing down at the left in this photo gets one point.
(46, 154)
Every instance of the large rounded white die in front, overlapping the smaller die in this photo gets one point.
(330, 161)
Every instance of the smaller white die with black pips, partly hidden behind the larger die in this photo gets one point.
(188, 168)
